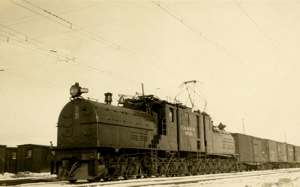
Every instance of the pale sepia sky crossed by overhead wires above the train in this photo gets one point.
(245, 54)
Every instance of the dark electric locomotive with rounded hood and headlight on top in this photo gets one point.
(143, 136)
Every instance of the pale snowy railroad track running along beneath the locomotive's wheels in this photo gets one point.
(199, 179)
